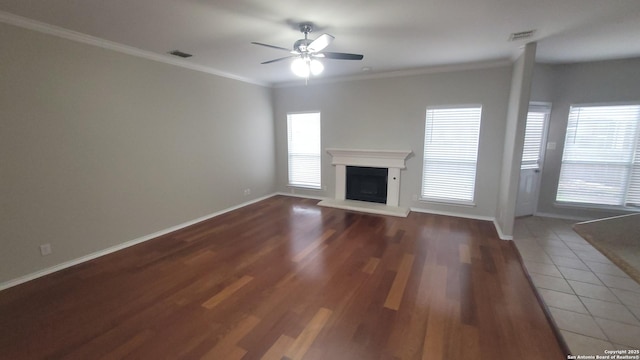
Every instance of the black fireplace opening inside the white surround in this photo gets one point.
(367, 184)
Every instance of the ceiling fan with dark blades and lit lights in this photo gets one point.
(306, 51)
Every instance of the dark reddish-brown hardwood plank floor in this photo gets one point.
(284, 278)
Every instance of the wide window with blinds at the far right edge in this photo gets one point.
(601, 159)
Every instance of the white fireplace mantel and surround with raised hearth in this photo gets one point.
(393, 160)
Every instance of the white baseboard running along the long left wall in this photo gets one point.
(97, 254)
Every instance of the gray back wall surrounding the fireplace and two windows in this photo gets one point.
(389, 114)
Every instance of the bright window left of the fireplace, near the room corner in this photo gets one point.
(303, 131)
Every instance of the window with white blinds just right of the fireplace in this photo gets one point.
(450, 153)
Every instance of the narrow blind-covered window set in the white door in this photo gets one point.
(534, 135)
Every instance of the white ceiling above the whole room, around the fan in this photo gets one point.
(392, 35)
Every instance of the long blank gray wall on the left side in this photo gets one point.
(98, 148)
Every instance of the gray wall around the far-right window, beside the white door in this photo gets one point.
(564, 85)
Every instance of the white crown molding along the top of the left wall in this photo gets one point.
(57, 31)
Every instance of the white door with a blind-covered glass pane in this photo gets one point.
(532, 156)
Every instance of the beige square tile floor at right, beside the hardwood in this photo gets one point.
(595, 305)
